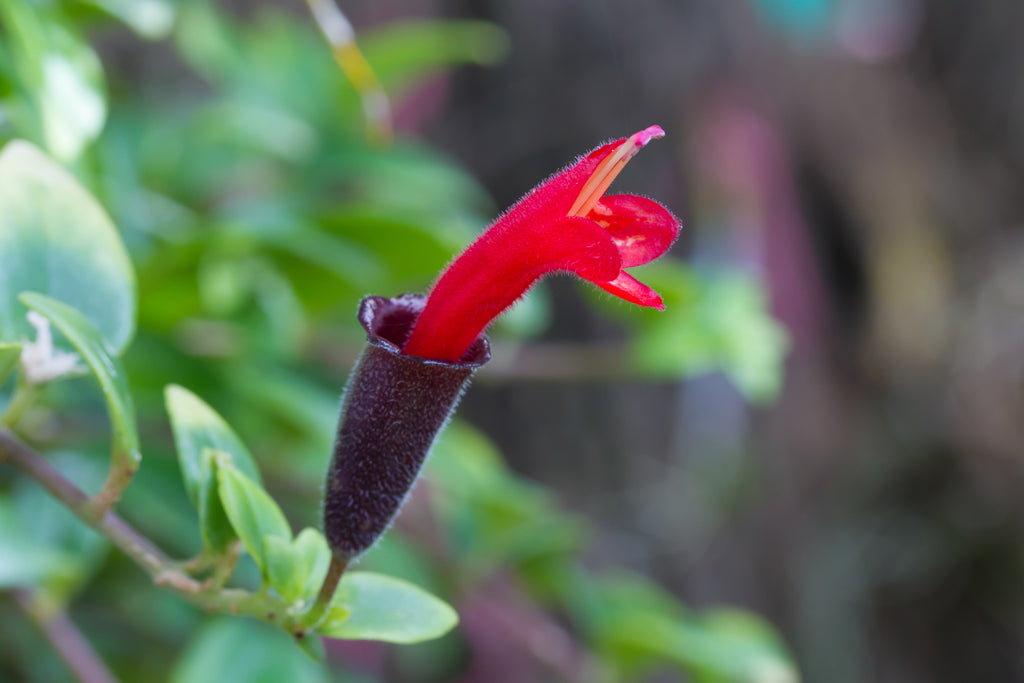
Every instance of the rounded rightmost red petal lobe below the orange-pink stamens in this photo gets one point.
(644, 230)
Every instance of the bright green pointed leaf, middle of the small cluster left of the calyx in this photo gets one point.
(251, 510)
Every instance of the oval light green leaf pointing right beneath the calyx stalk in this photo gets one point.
(389, 610)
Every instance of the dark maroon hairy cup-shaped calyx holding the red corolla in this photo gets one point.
(394, 409)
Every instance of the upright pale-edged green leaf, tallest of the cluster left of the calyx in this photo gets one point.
(197, 426)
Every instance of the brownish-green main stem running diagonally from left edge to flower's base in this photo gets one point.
(161, 569)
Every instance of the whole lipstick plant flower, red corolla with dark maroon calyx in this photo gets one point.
(422, 351)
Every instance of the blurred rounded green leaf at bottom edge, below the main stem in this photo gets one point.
(245, 652)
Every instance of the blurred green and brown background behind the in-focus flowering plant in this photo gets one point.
(812, 462)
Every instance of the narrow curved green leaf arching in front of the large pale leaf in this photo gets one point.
(104, 364)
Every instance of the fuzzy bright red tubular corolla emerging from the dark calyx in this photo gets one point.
(565, 225)
